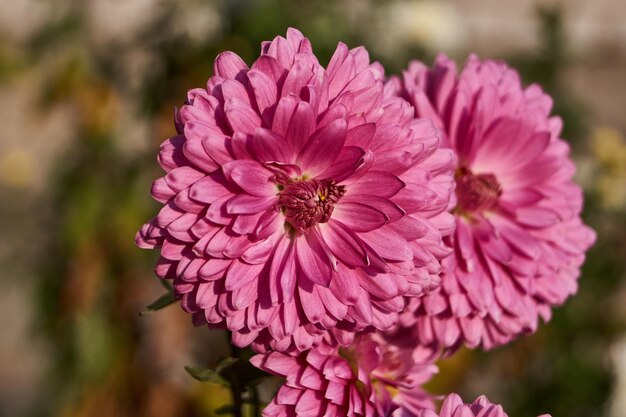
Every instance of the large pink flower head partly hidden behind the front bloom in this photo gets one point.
(519, 241)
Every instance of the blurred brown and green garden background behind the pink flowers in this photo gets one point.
(87, 91)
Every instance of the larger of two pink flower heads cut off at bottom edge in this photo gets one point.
(372, 377)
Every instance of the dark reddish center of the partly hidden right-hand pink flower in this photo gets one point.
(476, 192)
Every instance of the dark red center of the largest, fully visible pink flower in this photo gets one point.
(307, 203)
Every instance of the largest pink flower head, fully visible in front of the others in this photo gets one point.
(299, 199)
